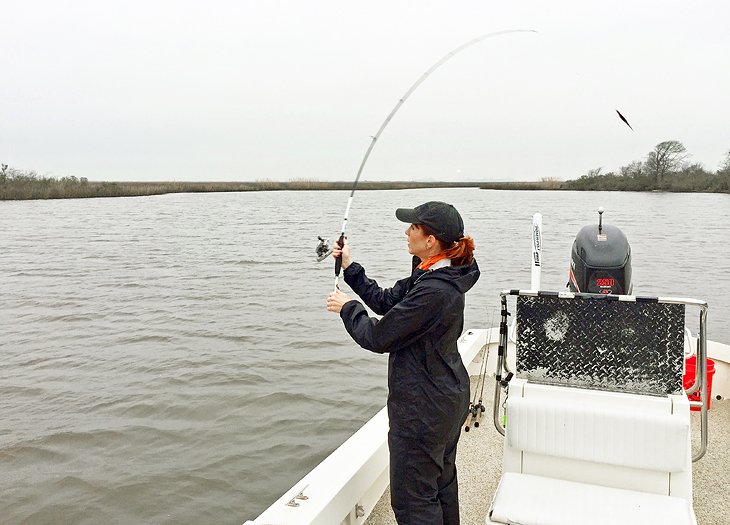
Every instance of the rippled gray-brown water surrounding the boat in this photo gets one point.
(169, 359)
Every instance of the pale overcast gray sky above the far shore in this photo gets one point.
(246, 90)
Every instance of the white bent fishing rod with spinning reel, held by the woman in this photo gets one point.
(323, 249)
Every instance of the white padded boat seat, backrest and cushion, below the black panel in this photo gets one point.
(578, 456)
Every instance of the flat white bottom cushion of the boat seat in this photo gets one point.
(522, 499)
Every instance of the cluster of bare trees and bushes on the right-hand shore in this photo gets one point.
(666, 168)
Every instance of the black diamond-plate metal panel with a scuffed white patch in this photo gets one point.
(605, 345)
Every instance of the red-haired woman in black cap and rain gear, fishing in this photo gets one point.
(428, 386)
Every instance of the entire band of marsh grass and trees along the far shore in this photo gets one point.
(665, 168)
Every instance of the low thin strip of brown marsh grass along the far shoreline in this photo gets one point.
(72, 188)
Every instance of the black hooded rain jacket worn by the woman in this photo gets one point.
(423, 316)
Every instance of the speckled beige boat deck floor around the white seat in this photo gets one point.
(479, 464)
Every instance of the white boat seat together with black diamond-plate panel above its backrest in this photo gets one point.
(597, 423)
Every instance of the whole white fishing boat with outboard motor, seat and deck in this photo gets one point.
(589, 423)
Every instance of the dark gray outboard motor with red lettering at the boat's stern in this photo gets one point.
(600, 261)
